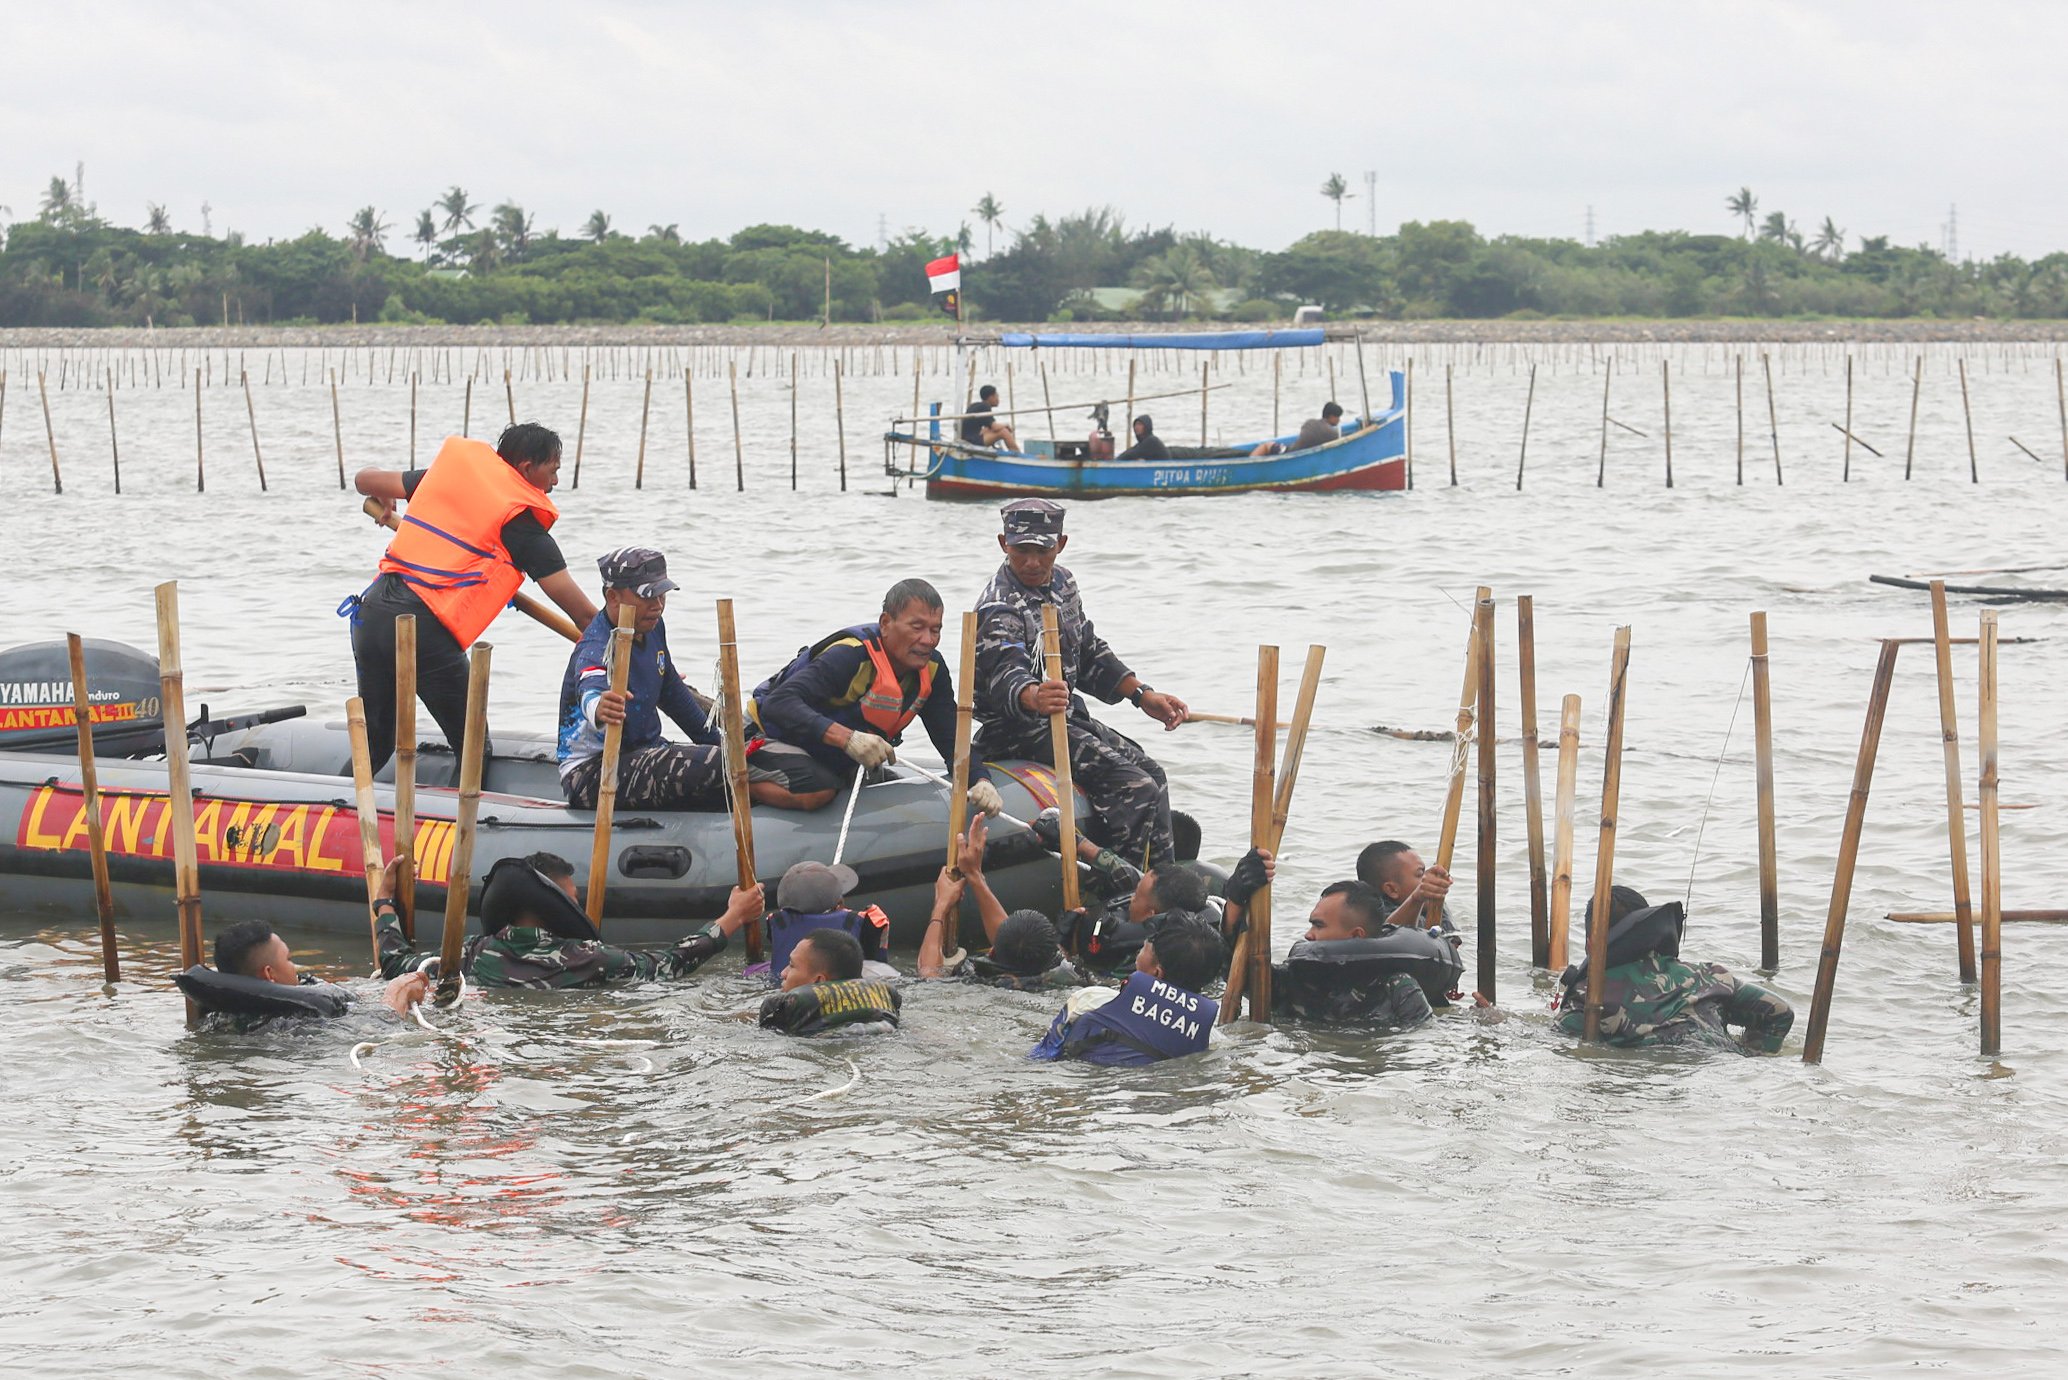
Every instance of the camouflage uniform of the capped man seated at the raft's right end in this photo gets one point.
(1128, 791)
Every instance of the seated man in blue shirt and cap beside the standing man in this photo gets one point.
(652, 773)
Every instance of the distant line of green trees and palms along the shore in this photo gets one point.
(464, 264)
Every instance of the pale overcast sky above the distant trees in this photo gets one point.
(1198, 115)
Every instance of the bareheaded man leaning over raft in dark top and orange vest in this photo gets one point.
(847, 700)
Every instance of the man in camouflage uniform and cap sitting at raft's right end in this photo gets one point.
(1014, 698)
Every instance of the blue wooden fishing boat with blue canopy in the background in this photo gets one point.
(1370, 454)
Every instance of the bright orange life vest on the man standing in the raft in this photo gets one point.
(450, 547)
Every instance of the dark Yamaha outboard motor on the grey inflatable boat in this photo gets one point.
(36, 698)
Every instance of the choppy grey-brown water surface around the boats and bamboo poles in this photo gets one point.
(642, 1184)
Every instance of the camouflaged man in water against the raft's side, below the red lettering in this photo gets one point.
(535, 934)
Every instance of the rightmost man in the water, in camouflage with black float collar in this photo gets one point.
(1651, 998)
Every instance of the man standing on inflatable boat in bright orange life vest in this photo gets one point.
(477, 527)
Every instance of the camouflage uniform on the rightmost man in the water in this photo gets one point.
(1668, 1002)
